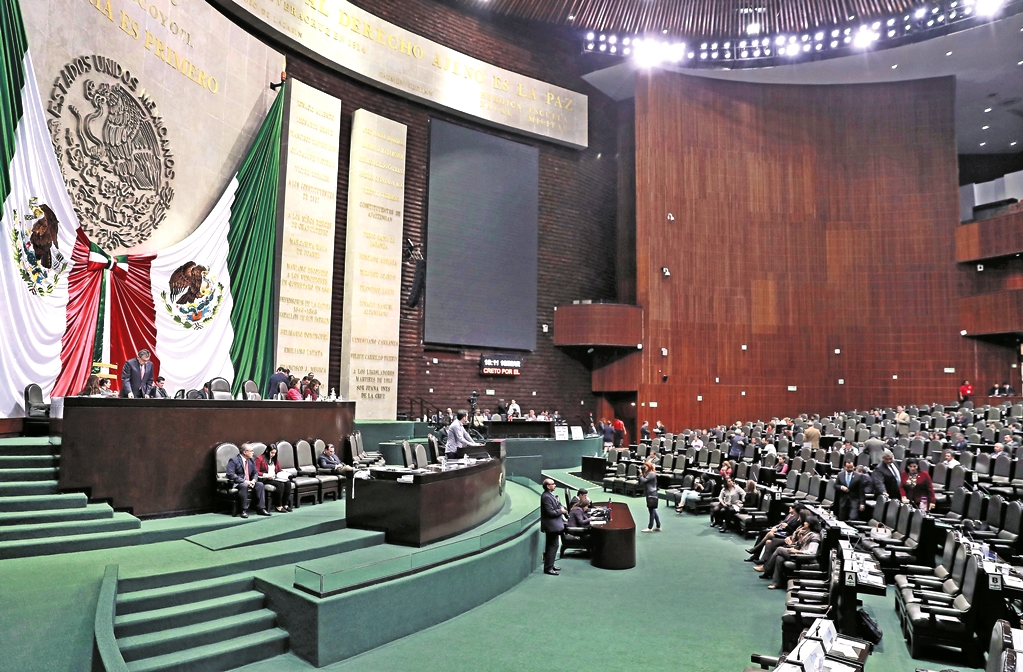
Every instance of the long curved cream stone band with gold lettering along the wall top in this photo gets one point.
(354, 41)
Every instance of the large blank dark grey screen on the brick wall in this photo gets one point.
(481, 240)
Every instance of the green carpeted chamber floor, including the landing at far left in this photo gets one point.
(691, 604)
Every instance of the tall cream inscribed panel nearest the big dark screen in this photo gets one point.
(373, 266)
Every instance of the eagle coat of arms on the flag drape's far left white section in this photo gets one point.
(36, 249)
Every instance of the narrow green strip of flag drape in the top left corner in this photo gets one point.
(14, 47)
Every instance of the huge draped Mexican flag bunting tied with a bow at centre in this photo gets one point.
(204, 307)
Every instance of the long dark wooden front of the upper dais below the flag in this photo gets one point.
(156, 458)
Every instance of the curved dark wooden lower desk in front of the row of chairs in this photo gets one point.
(427, 505)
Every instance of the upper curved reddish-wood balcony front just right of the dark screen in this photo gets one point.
(598, 325)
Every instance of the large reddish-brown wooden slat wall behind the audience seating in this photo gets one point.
(808, 219)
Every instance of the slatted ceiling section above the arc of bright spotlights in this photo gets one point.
(693, 18)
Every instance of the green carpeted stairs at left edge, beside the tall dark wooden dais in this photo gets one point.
(35, 520)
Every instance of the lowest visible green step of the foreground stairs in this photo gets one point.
(221, 656)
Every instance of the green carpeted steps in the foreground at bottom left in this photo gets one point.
(213, 624)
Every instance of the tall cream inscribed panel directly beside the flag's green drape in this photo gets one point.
(307, 248)
